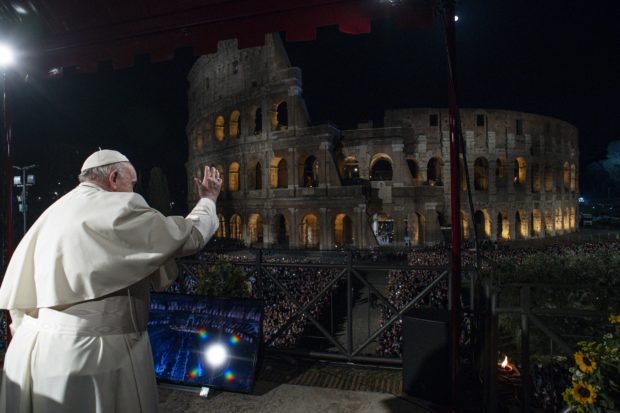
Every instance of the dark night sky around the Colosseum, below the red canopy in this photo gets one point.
(551, 58)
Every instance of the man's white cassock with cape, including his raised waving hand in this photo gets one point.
(77, 288)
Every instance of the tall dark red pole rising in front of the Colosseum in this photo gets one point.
(455, 253)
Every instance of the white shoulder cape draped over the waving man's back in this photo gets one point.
(88, 244)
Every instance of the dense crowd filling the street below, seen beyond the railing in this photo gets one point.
(303, 283)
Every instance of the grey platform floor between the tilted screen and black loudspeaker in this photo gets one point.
(286, 385)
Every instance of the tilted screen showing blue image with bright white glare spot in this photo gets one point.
(204, 341)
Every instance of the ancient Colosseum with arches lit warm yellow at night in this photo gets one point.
(291, 183)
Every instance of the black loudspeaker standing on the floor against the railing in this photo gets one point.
(426, 355)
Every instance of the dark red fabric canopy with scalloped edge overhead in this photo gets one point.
(63, 33)
